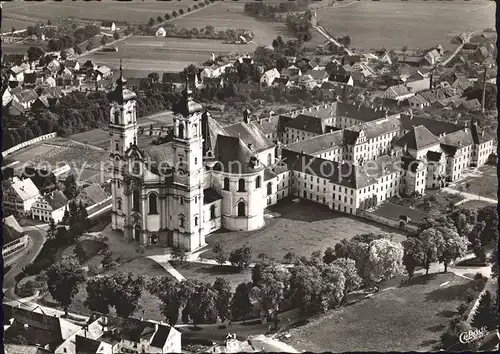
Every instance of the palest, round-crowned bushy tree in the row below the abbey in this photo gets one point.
(385, 259)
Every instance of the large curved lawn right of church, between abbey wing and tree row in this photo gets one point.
(300, 228)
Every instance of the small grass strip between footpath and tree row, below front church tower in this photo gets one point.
(209, 273)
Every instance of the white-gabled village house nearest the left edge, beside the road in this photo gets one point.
(19, 196)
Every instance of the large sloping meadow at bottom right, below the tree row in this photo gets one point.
(410, 317)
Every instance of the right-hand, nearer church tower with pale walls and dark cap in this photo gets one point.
(188, 173)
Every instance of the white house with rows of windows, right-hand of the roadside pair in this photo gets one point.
(50, 206)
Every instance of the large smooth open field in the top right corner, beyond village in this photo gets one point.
(394, 24)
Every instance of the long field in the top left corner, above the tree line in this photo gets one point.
(20, 14)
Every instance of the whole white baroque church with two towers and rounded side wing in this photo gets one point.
(205, 178)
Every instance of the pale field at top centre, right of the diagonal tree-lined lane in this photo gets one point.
(230, 15)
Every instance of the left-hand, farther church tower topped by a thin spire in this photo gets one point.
(123, 134)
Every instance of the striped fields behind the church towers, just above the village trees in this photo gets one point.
(142, 55)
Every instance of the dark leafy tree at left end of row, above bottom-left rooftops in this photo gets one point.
(63, 279)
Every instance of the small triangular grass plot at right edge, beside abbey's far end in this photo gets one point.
(483, 182)
